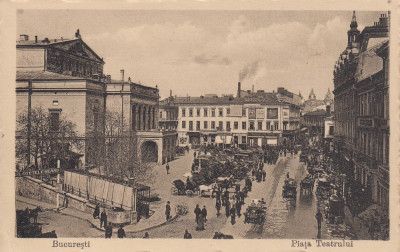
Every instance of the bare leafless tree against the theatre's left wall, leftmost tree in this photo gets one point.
(51, 138)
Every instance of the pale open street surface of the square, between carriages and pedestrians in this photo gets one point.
(284, 218)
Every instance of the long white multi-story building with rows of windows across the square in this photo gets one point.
(256, 119)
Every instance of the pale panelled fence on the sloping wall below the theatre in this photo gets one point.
(100, 190)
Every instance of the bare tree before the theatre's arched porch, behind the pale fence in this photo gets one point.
(119, 158)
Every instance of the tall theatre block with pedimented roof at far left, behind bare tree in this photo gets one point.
(63, 77)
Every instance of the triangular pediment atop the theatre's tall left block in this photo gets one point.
(78, 47)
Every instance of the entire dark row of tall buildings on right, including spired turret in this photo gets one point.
(361, 108)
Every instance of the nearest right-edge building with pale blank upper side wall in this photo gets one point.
(373, 104)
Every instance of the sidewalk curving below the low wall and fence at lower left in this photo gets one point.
(156, 220)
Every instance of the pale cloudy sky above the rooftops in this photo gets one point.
(194, 52)
